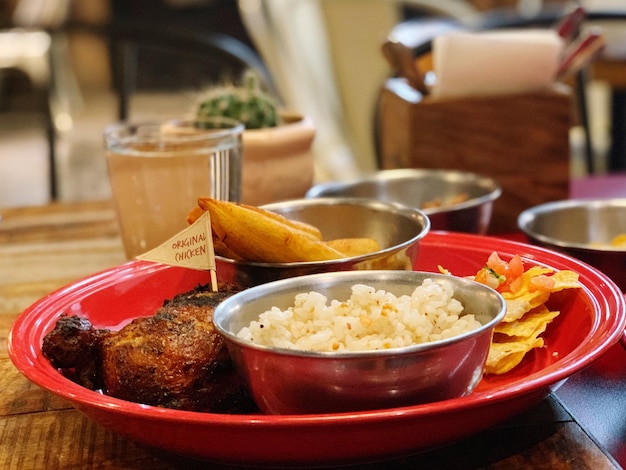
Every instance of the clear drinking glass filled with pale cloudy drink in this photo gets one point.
(158, 172)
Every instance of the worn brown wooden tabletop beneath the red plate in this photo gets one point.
(42, 248)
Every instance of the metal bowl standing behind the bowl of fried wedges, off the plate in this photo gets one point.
(421, 188)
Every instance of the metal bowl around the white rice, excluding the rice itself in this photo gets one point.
(287, 381)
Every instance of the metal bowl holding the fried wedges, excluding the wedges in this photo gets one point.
(397, 229)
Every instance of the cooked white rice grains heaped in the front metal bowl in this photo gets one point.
(369, 320)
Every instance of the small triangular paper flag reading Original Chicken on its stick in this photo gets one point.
(191, 248)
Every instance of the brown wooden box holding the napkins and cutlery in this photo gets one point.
(521, 140)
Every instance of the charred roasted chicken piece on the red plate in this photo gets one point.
(175, 359)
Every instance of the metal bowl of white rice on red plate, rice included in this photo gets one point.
(359, 340)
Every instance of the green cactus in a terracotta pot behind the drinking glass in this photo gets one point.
(277, 158)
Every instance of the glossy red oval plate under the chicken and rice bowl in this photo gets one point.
(592, 320)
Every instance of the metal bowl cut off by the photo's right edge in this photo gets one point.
(582, 228)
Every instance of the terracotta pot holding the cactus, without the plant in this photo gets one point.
(278, 161)
